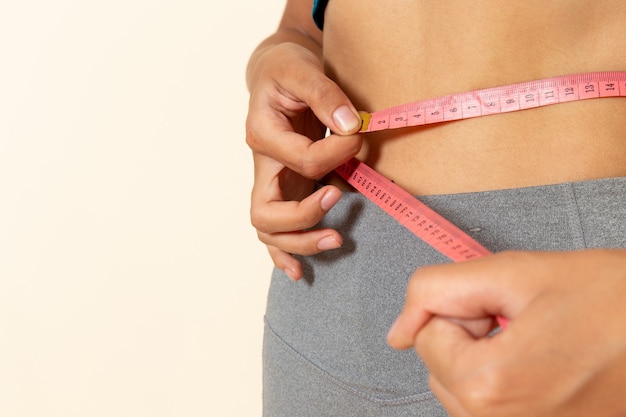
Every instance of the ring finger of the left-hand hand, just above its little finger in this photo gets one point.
(303, 243)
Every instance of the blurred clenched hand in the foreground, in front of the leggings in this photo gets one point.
(563, 352)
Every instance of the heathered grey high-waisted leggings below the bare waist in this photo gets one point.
(324, 349)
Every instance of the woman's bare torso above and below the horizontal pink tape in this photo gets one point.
(389, 53)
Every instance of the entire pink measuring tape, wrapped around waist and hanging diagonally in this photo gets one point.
(424, 222)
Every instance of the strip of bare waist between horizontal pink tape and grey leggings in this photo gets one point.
(563, 143)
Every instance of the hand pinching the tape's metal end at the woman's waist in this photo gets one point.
(291, 103)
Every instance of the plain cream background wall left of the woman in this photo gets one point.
(131, 283)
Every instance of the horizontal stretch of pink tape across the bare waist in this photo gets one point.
(497, 100)
